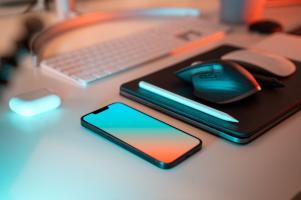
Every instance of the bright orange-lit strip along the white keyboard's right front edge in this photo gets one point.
(198, 43)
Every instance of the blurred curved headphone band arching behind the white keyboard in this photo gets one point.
(41, 40)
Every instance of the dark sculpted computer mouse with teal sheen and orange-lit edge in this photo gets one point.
(220, 81)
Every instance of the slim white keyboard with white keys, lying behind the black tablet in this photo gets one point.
(88, 64)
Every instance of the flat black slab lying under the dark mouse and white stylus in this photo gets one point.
(256, 114)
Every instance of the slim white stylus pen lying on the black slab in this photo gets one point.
(187, 102)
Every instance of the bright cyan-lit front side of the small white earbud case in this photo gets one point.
(34, 107)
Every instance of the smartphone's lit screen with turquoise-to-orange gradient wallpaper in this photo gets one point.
(153, 137)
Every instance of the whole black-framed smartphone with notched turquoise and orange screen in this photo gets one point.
(153, 140)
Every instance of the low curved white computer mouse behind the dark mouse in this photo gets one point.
(275, 64)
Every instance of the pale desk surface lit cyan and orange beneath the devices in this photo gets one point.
(52, 157)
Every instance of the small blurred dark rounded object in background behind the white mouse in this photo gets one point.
(265, 27)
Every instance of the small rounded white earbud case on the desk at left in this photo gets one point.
(34, 102)
